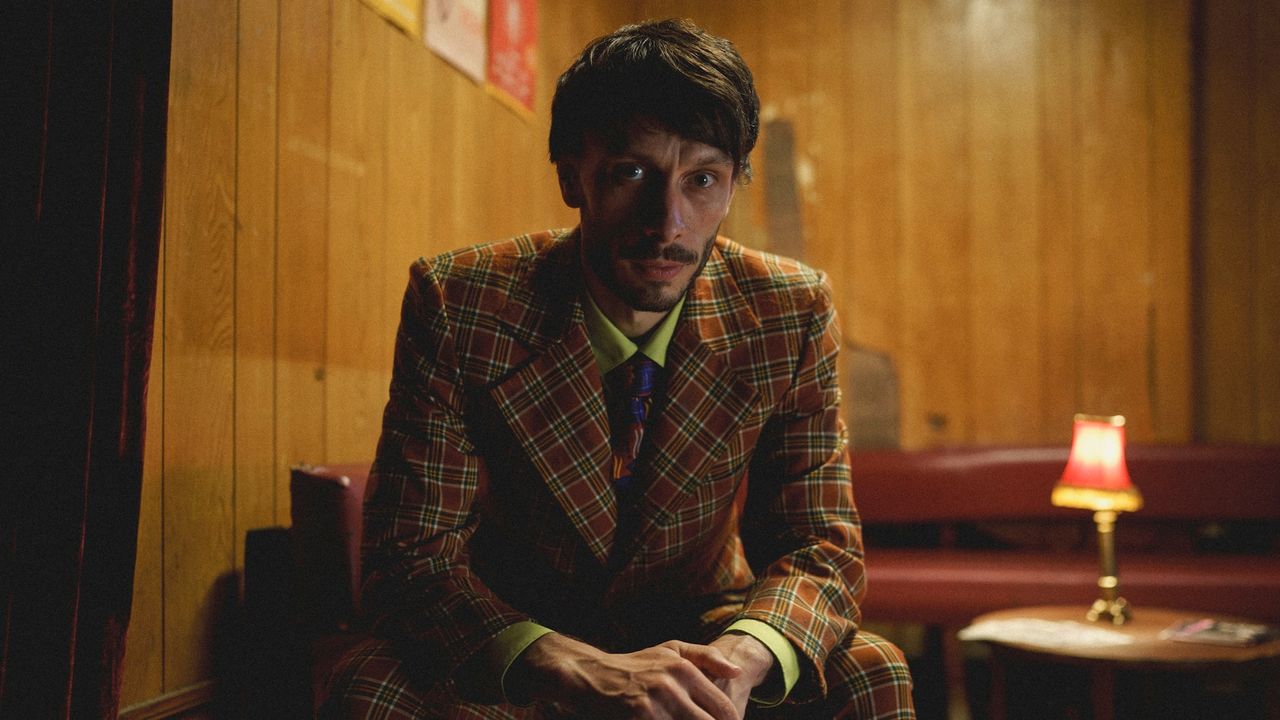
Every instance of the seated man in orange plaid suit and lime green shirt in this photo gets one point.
(612, 480)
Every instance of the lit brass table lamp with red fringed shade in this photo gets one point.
(1098, 479)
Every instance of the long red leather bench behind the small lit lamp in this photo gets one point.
(954, 534)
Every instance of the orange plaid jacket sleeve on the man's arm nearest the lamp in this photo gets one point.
(801, 530)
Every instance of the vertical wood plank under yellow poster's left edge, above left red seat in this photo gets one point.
(356, 329)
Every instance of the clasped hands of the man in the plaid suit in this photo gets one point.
(675, 681)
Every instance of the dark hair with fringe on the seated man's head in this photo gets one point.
(673, 72)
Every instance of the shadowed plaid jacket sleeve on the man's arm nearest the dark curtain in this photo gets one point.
(422, 500)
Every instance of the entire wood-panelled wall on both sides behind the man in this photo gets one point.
(1002, 192)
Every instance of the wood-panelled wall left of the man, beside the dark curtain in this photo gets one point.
(314, 153)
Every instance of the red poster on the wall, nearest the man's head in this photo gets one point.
(514, 52)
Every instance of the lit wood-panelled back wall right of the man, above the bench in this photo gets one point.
(1000, 190)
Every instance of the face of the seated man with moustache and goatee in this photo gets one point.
(650, 207)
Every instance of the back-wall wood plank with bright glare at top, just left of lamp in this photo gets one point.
(1004, 261)
